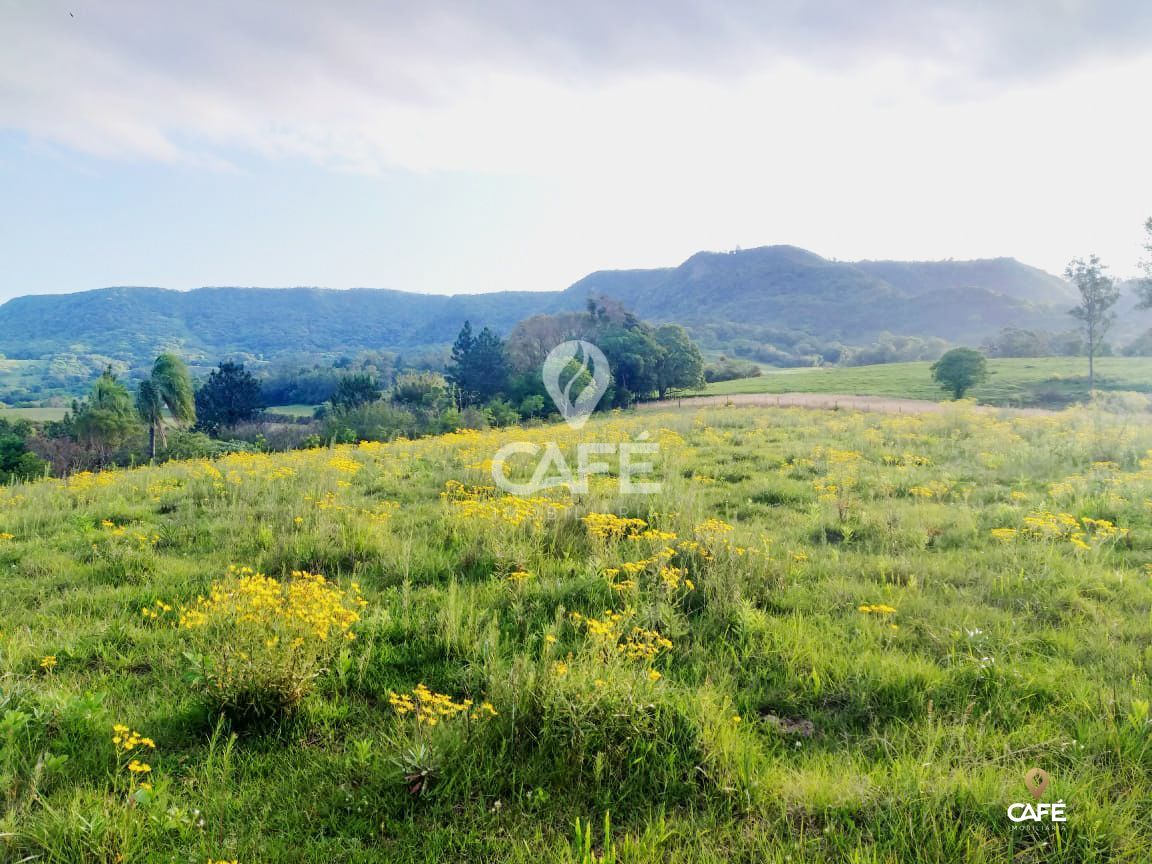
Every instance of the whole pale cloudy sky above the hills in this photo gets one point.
(452, 147)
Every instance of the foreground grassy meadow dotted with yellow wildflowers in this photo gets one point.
(832, 638)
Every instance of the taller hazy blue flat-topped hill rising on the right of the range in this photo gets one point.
(792, 289)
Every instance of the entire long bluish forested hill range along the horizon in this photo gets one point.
(783, 289)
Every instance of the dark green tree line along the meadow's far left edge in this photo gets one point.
(487, 381)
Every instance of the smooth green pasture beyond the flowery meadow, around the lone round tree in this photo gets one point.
(1047, 382)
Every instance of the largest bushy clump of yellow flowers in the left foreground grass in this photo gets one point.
(262, 643)
